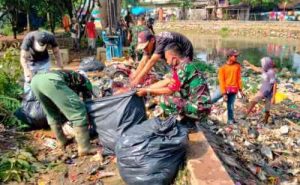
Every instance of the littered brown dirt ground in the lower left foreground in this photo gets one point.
(58, 167)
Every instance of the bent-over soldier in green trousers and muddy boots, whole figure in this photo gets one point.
(58, 92)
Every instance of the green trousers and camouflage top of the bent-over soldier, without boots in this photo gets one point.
(58, 91)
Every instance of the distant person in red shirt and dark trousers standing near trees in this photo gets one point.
(90, 31)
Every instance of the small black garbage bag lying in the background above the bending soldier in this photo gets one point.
(91, 64)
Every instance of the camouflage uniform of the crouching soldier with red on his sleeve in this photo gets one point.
(193, 98)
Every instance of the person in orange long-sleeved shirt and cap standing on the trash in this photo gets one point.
(230, 83)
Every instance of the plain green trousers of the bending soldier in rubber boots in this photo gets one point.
(56, 97)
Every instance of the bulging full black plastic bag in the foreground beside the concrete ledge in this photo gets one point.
(151, 152)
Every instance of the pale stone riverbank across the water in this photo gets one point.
(256, 29)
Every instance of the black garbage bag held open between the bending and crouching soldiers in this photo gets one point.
(113, 115)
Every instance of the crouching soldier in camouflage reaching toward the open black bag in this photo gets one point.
(186, 93)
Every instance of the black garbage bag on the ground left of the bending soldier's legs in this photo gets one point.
(31, 112)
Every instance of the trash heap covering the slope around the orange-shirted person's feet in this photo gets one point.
(254, 152)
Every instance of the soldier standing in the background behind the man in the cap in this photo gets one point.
(133, 36)
